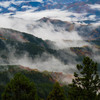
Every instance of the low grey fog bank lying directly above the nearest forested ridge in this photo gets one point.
(46, 62)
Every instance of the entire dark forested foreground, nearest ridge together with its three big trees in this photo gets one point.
(19, 84)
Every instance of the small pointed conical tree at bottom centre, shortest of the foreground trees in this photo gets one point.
(57, 93)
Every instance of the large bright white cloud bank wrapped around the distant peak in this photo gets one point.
(27, 22)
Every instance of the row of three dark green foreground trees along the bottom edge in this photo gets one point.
(84, 86)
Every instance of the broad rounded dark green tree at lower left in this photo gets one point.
(20, 88)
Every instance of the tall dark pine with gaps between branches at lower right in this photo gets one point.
(86, 83)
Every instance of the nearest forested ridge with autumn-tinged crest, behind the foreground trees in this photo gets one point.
(44, 81)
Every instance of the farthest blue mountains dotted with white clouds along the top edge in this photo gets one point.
(90, 13)
